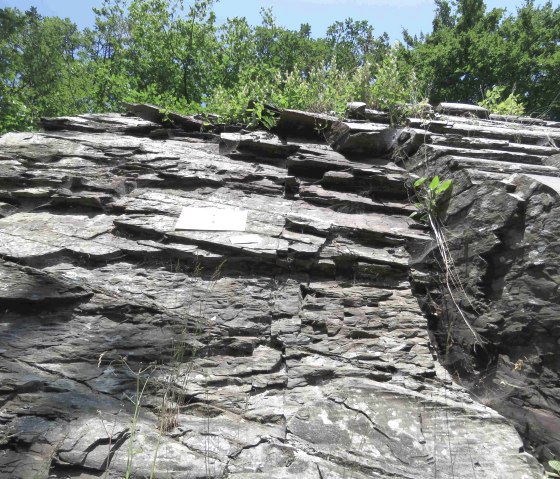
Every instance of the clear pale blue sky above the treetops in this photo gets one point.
(385, 15)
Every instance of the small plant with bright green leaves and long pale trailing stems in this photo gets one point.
(432, 201)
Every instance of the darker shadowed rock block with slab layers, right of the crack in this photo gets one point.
(503, 229)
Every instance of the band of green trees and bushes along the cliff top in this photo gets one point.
(175, 55)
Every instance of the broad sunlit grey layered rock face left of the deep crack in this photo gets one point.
(296, 349)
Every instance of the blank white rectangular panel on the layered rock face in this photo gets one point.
(211, 219)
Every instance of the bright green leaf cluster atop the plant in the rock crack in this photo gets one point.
(432, 199)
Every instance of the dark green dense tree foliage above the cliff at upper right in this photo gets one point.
(472, 48)
